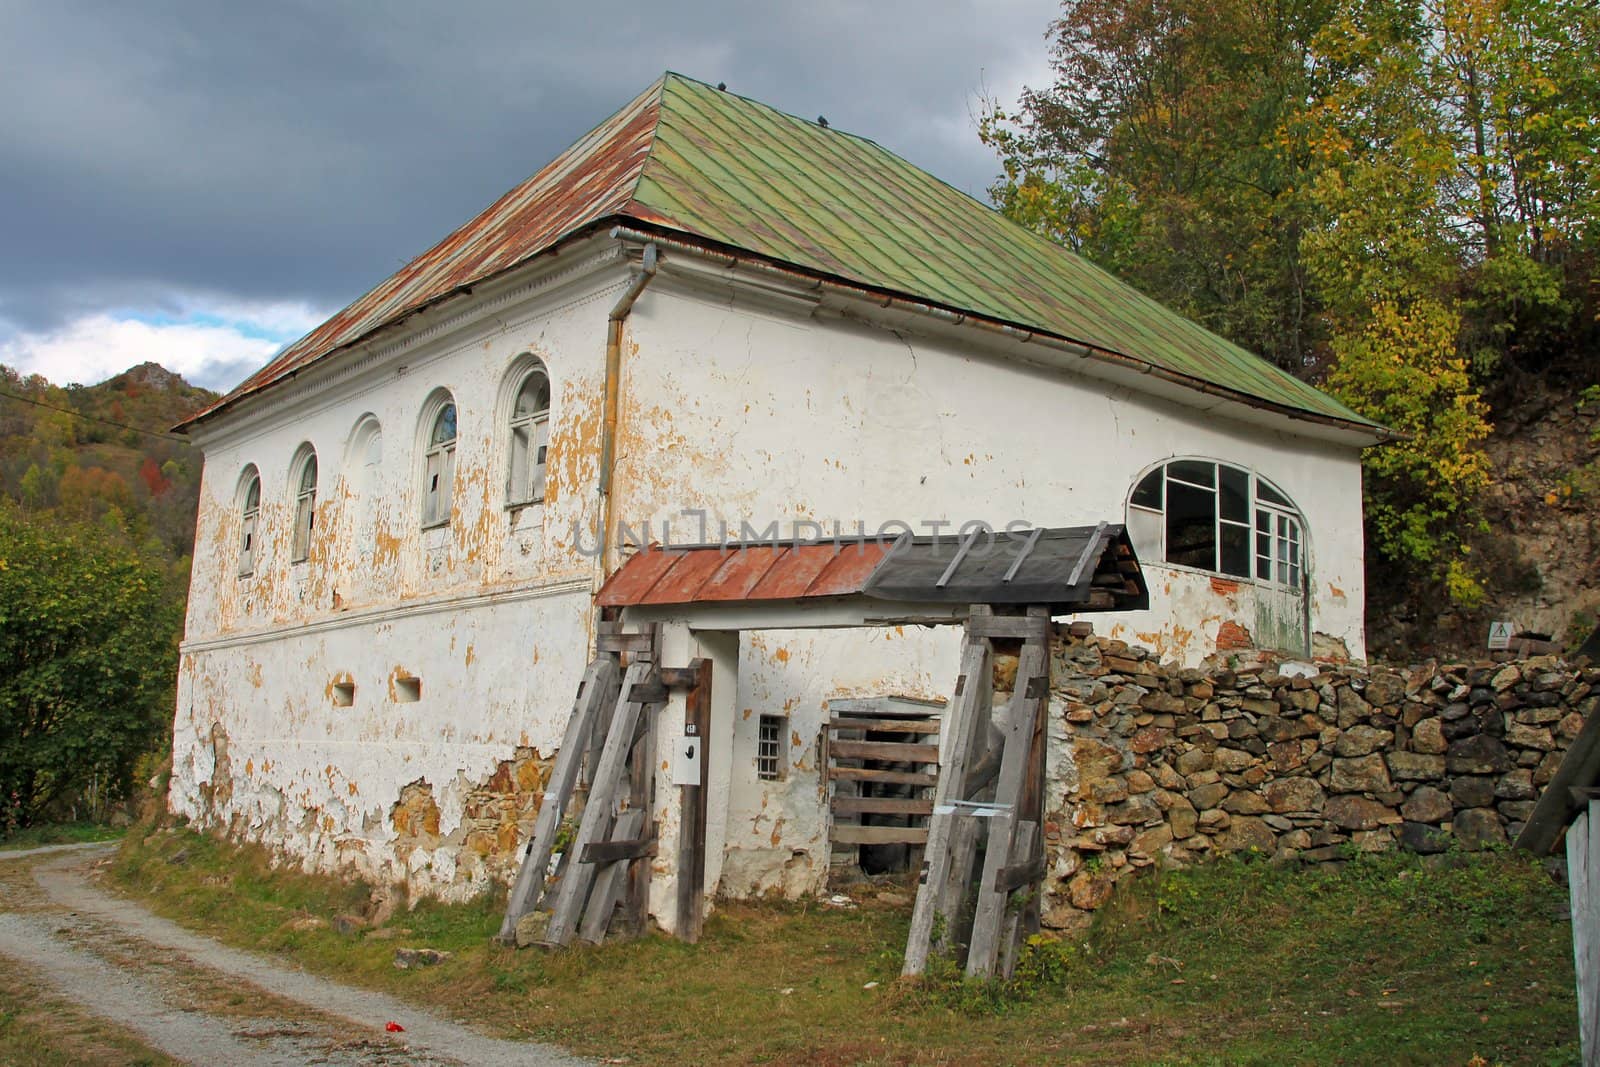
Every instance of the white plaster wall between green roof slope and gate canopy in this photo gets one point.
(758, 415)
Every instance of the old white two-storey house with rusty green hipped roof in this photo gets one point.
(703, 306)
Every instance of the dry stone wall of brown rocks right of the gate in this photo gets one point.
(1153, 764)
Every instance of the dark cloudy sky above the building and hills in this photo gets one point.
(201, 183)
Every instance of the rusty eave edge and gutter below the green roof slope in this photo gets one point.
(694, 244)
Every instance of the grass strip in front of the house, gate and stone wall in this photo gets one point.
(1391, 961)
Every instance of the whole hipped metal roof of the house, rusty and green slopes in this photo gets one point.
(689, 159)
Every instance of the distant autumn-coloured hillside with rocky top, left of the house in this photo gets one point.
(103, 454)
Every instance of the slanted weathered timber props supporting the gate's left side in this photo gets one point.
(612, 737)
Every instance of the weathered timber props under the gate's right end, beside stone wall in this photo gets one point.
(990, 799)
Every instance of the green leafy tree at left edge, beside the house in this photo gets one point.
(89, 634)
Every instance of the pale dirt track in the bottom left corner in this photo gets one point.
(202, 1002)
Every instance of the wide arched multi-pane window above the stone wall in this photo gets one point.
(1217, 518)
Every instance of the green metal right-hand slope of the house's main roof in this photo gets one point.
(746, 175)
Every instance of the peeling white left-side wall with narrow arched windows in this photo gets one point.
(492, 613)
